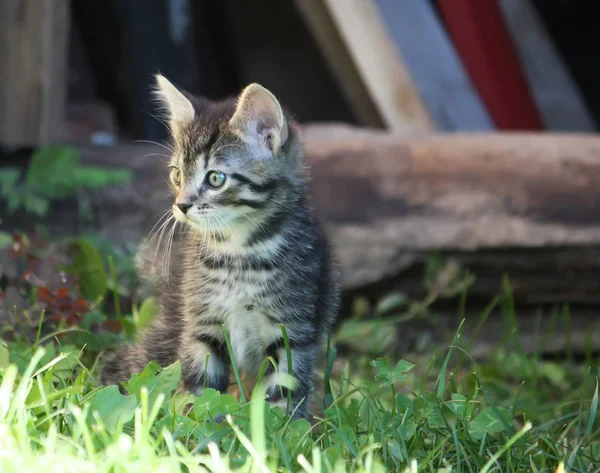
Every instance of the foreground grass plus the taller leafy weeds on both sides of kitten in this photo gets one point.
(435, 410)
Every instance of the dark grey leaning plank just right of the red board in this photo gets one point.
(554, 90)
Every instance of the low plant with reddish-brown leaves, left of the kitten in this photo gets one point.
(47, 287)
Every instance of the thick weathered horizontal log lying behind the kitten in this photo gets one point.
(525, 204)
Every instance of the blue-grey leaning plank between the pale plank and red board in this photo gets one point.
(432, 61)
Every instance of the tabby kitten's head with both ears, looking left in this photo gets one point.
(235, 162)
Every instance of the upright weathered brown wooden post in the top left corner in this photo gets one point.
(33, 55)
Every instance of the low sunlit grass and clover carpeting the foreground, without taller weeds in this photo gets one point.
(391, 417)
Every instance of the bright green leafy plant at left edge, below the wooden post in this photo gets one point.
(54, 173)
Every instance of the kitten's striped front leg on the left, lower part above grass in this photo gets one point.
(196, 349)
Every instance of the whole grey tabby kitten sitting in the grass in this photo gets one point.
(253, 254)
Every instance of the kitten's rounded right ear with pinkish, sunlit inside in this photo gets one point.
(260, 121)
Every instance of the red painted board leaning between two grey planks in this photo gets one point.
(483, 42)
